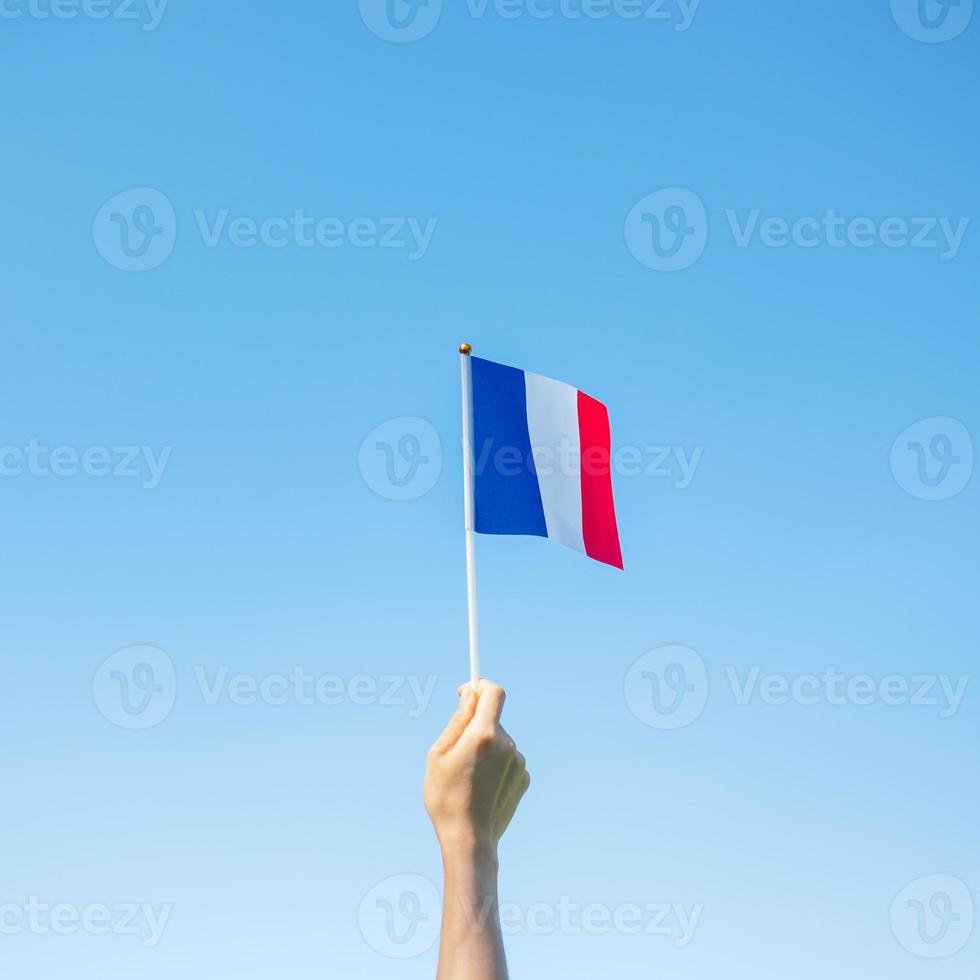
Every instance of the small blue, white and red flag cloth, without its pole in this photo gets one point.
(541, 461)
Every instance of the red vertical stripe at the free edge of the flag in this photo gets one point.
(598, 511)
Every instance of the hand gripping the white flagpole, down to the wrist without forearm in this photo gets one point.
(475, 776)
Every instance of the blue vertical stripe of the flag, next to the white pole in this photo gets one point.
(508, 498)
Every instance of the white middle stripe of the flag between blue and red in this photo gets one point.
(552, 423)
